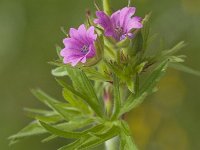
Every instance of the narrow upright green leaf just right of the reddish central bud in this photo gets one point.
(117, 100)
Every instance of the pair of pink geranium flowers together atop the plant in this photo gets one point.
(80, 46)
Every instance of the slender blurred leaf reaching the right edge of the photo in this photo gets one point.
(185, 69)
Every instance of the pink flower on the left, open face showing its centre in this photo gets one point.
(79, 46)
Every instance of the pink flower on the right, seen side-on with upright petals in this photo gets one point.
(120, 24)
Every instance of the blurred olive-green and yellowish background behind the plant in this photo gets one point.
(29, 30)
